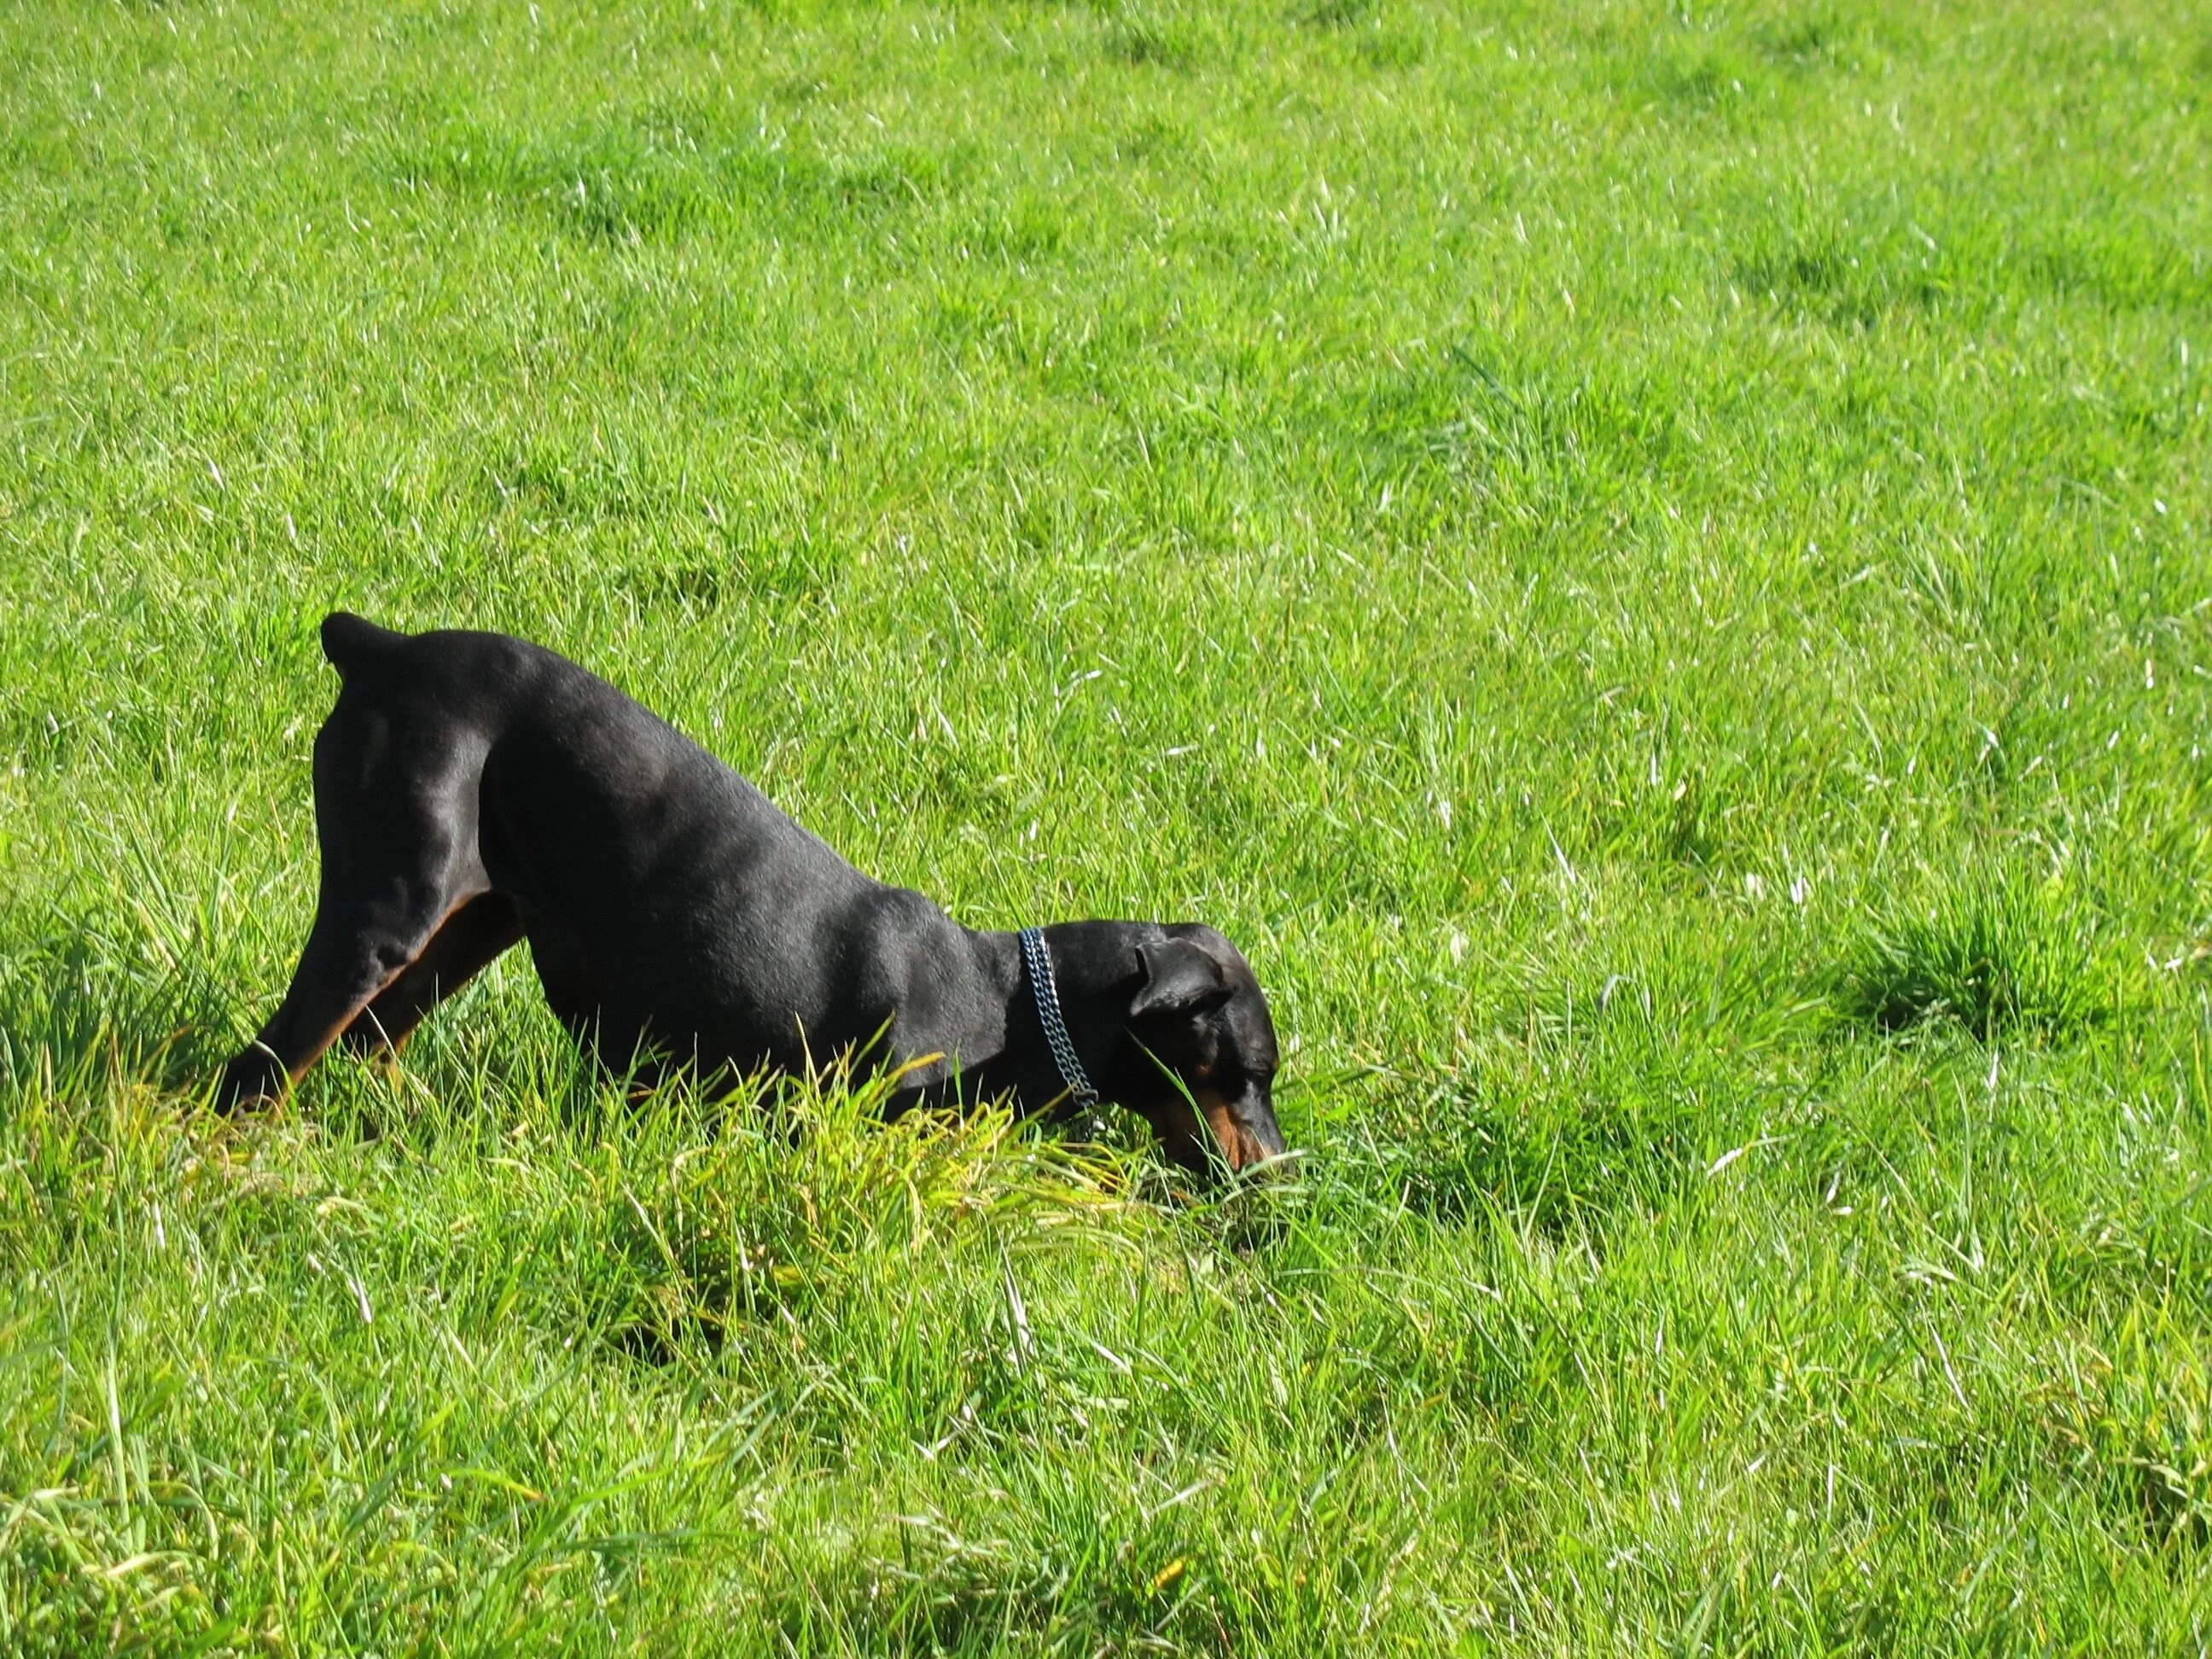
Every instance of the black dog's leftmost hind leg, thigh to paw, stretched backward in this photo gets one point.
(395, 808)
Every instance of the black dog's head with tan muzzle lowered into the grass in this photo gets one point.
(1198, 1054)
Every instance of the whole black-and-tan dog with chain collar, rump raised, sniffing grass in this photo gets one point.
(474, 791)
